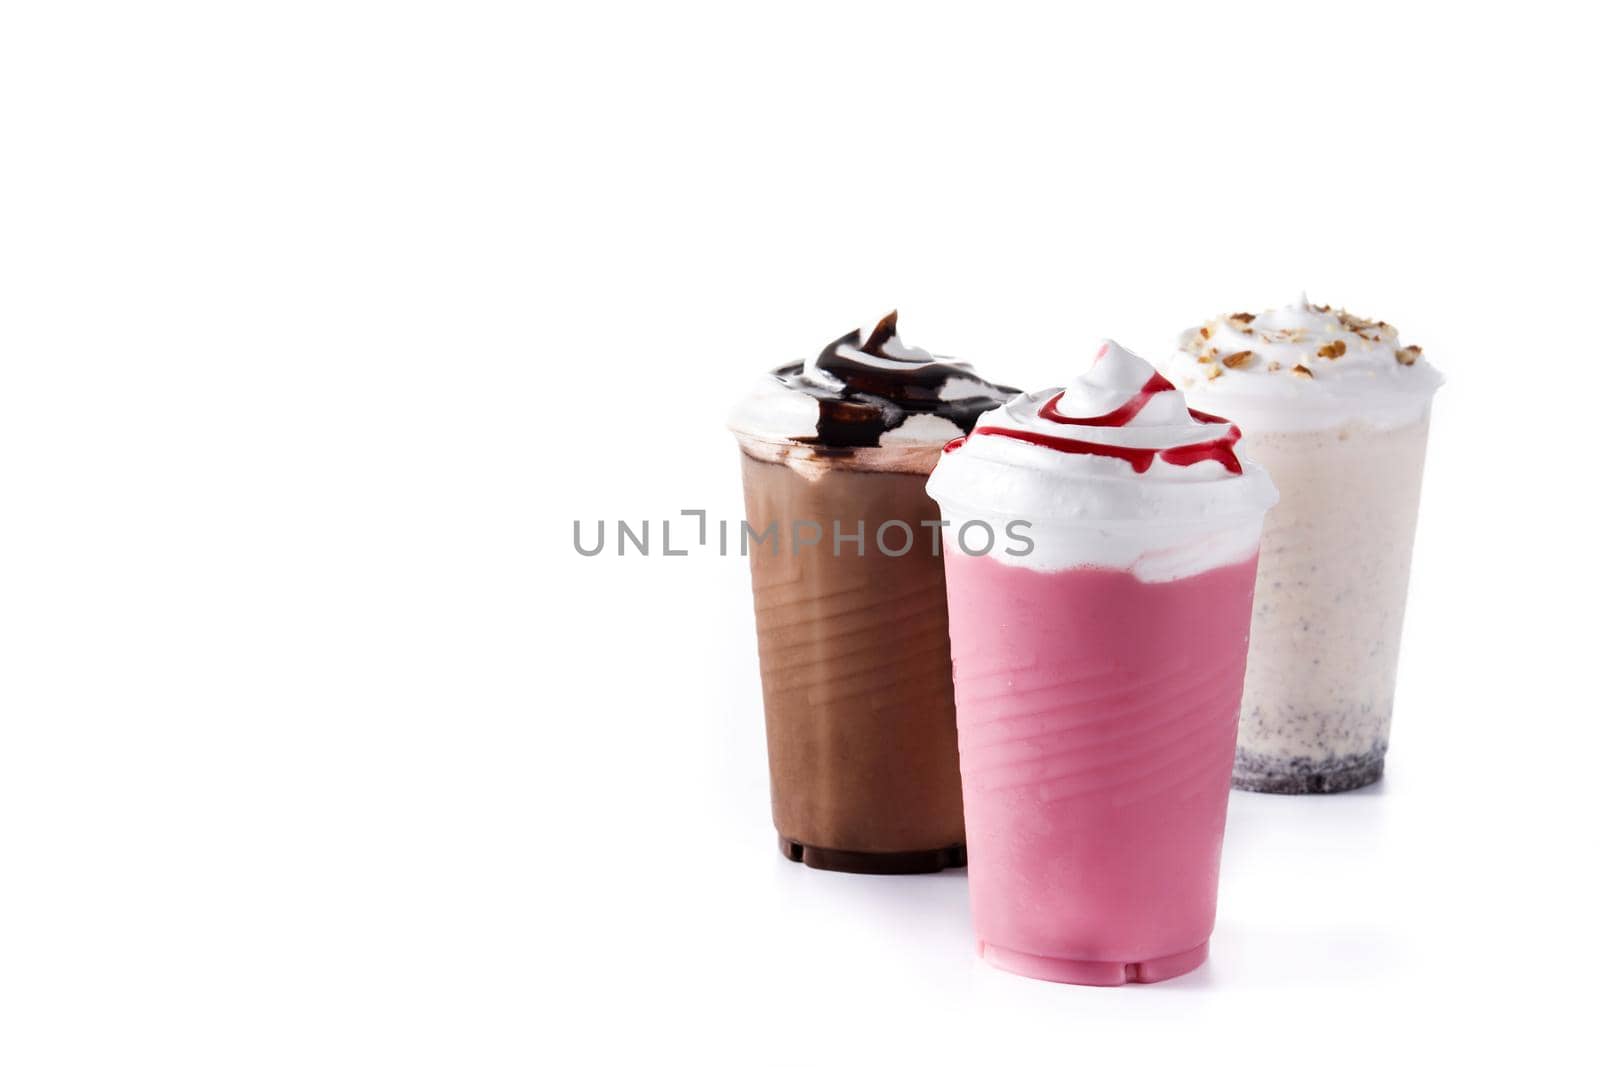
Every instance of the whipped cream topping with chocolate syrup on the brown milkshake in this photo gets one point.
(868, 390)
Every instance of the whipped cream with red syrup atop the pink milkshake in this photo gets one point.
(1119, 468)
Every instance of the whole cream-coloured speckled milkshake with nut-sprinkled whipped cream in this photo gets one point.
(1337, 410)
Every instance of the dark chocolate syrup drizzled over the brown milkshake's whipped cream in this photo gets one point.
(862, 401)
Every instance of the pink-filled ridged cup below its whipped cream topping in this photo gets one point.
(1097, 717)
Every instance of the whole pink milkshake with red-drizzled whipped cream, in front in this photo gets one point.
(1098, 669)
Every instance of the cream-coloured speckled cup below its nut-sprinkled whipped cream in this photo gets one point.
(1330, 604)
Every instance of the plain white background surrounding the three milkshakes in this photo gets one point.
(321, 324)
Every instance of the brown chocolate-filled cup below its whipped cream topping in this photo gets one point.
(854, 639)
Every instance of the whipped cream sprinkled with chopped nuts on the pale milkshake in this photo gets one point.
(1303, 367)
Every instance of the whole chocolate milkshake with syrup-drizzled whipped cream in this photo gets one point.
(850, 610)
